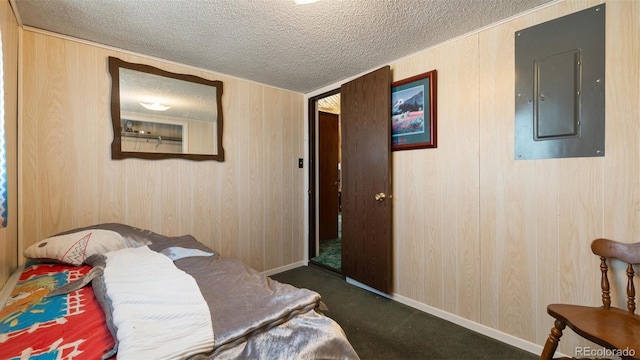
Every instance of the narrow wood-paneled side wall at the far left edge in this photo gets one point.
(9, 235)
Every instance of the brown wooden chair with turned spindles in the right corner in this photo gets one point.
(607, 326)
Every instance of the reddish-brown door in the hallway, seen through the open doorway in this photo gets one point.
(328, 141)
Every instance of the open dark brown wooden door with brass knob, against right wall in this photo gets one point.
(366, 179)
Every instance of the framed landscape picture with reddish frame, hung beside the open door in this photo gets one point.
(413, 112)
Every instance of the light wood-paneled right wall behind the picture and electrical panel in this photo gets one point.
(493, 240)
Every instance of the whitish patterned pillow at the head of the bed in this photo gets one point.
(74, 248)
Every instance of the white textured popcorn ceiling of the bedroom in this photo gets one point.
(275, 42)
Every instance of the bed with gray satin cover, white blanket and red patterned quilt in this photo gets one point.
(114, 291)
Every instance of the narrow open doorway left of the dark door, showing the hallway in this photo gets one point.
(325, 235)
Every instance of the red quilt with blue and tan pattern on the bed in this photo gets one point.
(70, 326)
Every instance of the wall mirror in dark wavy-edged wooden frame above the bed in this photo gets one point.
(158, 114)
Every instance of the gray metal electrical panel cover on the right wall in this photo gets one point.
(559, 92)
